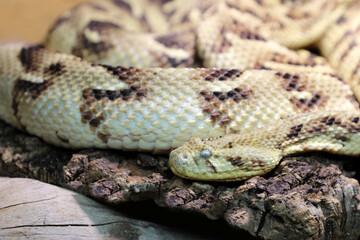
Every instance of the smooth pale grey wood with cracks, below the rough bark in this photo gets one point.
(36, 210)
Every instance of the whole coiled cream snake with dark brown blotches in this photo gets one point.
(227, 87)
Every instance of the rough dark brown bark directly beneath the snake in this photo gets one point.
(305, 197)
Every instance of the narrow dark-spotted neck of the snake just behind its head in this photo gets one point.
(337, 133)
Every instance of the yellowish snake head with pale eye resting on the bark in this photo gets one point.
(215, 160)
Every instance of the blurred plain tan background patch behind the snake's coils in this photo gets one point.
(30, 19)
